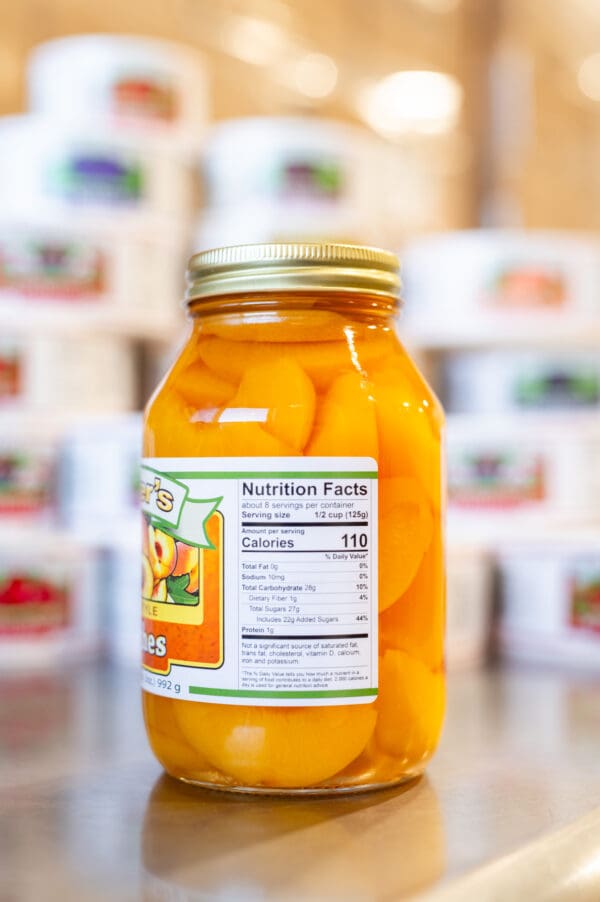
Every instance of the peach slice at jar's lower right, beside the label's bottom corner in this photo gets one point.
(410, 707)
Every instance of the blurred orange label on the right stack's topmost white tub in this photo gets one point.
(526, 286)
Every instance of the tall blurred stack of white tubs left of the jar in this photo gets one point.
(97, 198)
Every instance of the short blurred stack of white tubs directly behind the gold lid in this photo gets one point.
(290, 179)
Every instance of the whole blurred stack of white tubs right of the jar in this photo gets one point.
(512, 323)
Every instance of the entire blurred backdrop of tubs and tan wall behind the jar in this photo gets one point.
(463, 135)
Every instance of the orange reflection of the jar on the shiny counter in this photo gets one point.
(205, 845)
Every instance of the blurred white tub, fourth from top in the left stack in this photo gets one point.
(76, 372)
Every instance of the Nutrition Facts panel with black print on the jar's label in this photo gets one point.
(307, 584)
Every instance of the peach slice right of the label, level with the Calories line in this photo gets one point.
(405, 531)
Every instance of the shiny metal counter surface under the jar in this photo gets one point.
(85, 813)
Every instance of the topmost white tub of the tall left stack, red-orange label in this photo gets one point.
(122, 81)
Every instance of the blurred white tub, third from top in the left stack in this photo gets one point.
(45, 267)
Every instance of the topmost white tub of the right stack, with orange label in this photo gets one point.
(494, 275)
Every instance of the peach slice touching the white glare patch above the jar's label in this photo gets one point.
(281, 389)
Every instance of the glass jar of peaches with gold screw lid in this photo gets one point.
(293, 578)
